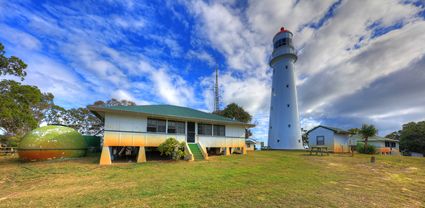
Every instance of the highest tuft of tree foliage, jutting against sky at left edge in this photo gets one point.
(11, 66)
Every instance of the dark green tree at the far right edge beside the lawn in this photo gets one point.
(412, 137)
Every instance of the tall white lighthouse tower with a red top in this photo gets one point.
(284, 126)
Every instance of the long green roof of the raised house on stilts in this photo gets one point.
(166, 111)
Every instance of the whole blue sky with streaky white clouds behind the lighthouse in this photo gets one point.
(359, 62)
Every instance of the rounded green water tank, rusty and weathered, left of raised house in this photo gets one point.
(52, 142)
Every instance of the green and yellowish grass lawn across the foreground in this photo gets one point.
(259, 179)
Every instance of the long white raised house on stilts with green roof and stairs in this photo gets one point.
(137, 127)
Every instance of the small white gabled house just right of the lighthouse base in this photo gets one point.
(335, 139)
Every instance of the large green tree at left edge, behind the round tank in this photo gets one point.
(16, 107)
